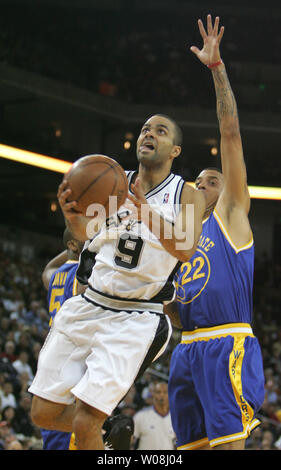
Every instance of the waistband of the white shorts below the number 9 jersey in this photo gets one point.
(114, 304)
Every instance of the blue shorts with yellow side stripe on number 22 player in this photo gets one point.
(216, 385)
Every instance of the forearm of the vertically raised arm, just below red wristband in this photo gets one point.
(226, 104)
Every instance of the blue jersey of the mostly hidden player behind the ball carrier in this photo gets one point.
(63, 285)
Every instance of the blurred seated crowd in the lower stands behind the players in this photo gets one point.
(25, 324)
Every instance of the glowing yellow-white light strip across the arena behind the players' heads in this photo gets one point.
(60, 166)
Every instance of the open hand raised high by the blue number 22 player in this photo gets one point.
(210, 52)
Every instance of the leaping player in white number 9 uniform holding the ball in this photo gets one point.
(103, 340)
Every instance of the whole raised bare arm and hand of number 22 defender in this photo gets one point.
(233, 166)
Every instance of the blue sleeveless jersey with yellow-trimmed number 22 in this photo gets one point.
(215, 286)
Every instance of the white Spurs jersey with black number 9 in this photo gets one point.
(125, 261)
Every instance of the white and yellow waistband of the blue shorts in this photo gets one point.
(220, 331)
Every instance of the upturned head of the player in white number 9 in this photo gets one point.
(155, 144)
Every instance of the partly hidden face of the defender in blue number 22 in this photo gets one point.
(211, 182)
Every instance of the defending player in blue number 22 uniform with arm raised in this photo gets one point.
(216, 382)
